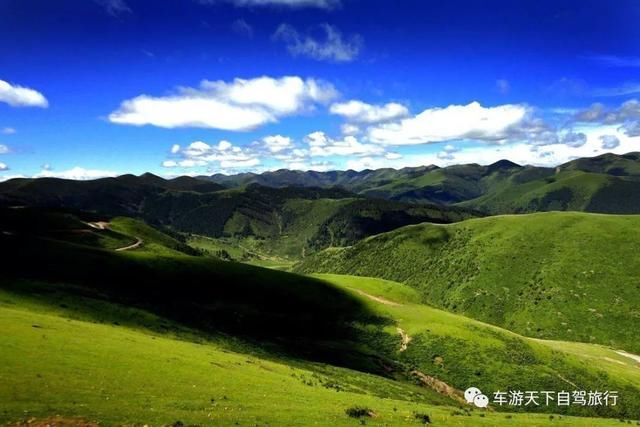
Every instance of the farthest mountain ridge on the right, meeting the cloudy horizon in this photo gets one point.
(607, 184)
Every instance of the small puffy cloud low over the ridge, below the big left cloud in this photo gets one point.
(223, 155)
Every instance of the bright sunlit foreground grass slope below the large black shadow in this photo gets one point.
(57, 368)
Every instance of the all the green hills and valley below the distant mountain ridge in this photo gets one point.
(183, 302)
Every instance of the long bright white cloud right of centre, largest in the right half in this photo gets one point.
(455, 122)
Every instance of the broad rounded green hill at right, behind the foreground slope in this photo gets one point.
(553, 275)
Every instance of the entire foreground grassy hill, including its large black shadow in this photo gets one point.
(98, 334)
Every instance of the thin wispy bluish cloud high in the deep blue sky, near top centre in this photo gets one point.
(332, 47)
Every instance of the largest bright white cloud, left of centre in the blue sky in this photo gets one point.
(240, 105)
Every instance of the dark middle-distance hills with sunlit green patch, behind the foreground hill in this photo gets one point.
(288, 222)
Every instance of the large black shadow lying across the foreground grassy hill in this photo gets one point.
(300, 316)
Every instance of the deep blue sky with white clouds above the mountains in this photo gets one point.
(92, 88)
